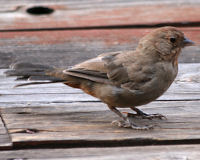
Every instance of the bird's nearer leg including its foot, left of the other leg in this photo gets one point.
(127, 122)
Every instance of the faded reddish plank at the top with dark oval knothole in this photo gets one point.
(100, 13)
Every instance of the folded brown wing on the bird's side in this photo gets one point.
(116, 68)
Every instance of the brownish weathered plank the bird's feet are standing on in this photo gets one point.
(78, 124)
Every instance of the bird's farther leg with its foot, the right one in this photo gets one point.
(147, 116)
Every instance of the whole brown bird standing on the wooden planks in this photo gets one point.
(120, 79)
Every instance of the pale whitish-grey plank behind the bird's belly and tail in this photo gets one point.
(185, 88)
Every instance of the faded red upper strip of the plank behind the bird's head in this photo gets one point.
(109, 36)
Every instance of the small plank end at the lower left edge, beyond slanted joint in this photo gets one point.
(5, 142)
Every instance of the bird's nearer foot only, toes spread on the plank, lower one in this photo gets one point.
(129, 124)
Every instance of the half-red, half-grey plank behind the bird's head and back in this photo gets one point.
(65, 48)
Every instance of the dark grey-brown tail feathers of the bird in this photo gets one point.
(41, 74)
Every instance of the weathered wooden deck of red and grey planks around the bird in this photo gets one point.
(54, 121)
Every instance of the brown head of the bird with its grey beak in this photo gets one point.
(165, 41)
